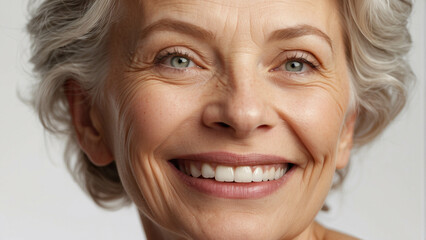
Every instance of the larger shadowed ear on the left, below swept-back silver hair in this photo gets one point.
(87, 125)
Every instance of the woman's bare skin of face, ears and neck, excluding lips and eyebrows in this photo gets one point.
(236, 96)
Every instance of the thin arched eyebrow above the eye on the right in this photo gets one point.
(299, 31)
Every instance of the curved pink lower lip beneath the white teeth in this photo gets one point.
(233, 190)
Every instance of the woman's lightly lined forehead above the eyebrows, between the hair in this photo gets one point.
(253, 19)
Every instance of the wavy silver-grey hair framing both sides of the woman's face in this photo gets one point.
(69, 41)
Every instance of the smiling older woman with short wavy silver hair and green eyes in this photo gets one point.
(219, 119)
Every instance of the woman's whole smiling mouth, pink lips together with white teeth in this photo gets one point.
(231, 175)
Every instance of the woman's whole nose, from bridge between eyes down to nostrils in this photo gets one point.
(243, 109)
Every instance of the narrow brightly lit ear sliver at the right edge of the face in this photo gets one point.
(346, 141)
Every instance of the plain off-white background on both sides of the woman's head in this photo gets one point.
(382, 199)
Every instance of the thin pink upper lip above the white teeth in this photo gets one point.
(227, 158)
